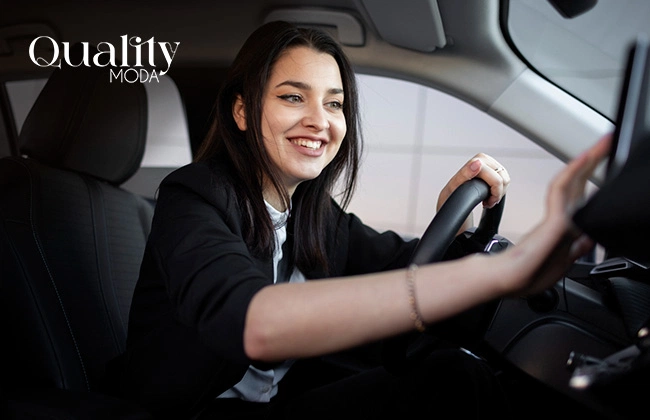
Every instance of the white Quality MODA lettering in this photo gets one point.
(137, 57)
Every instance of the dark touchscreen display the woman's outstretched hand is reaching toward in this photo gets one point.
(616, 216)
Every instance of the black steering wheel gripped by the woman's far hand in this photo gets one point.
(433, 244)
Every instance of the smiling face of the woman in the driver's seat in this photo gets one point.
(302, 116)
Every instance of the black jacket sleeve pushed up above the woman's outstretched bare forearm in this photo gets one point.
(196, 252)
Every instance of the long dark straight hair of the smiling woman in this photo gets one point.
(311, 217)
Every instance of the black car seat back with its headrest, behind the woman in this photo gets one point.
(71, 240)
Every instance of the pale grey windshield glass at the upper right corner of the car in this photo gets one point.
(585, 54)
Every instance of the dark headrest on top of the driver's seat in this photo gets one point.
(83, 121)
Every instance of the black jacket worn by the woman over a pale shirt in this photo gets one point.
(185, 338)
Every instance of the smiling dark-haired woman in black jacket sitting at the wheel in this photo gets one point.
(255, 280)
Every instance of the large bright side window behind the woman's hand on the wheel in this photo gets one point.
(416, 138)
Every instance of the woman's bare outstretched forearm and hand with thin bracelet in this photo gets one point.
(317, 317)
